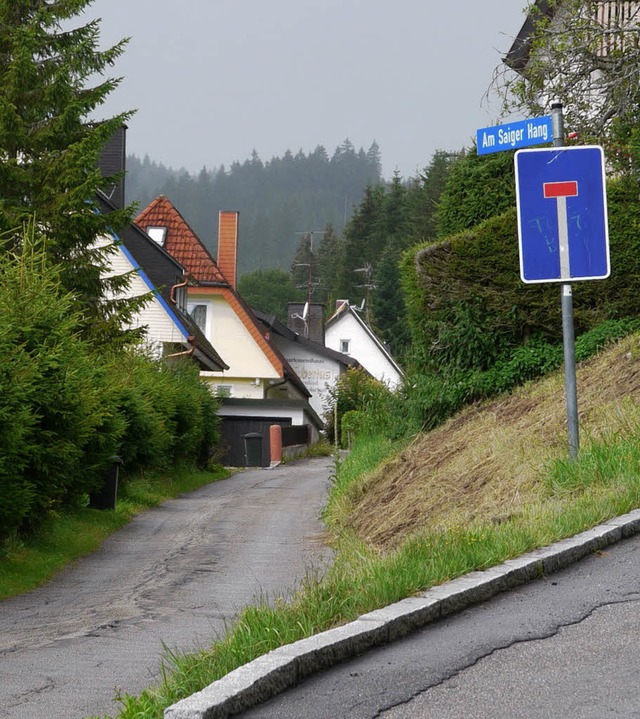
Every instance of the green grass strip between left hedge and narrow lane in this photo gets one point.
(67, 536)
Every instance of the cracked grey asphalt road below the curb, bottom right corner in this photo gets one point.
(565, 646)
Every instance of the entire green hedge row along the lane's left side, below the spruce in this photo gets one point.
(66, 409)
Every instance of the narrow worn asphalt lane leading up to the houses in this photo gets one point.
(172, 577)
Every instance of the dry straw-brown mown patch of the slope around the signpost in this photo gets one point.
(492, 462)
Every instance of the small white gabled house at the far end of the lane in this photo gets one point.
(348, 333)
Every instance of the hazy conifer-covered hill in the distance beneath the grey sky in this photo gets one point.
(278, 200)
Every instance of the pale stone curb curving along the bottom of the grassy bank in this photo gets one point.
(283, 668)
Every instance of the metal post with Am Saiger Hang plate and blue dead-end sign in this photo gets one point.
(562, 220)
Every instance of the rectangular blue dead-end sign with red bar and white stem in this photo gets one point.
(562, 214)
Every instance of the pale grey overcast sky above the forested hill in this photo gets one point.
(212, 80)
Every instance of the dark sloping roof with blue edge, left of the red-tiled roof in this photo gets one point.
(163, 272)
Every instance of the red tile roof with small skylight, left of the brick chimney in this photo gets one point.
(181, 241)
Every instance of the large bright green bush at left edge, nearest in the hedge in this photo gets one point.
(58, 421)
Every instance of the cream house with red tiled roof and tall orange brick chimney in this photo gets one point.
(257, 380)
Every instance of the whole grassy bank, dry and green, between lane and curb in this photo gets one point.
(491, 484)
